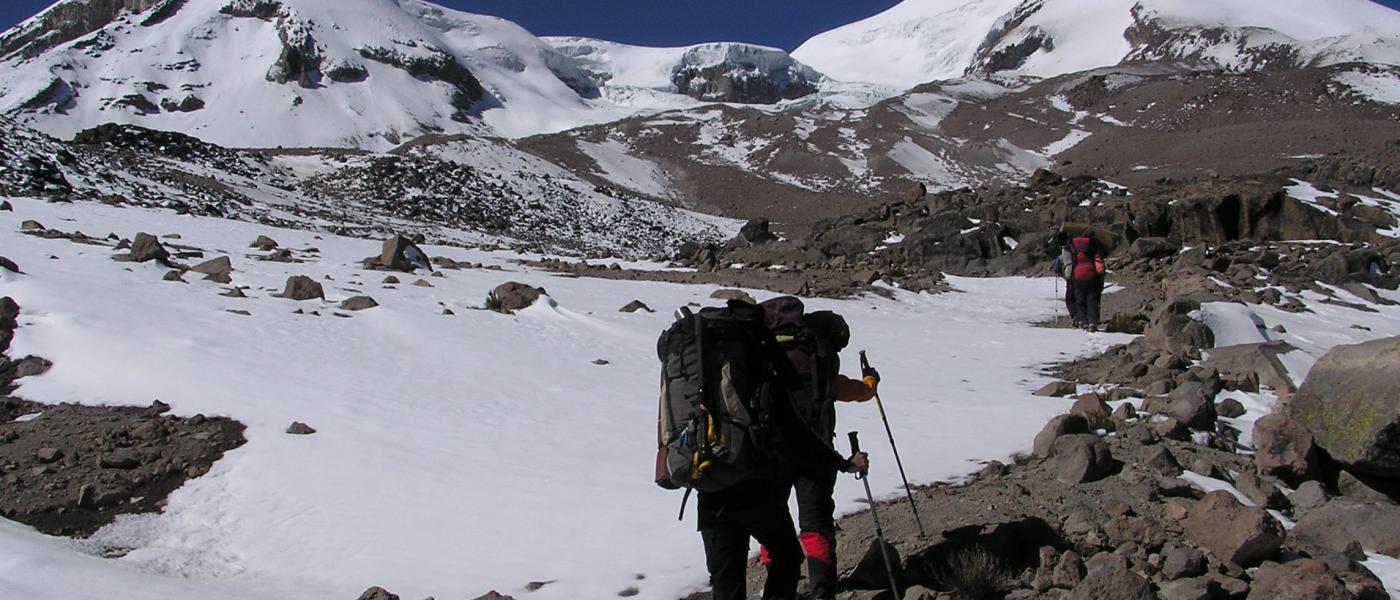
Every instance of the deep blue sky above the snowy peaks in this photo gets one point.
(652, 23)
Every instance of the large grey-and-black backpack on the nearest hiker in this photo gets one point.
(717, 394)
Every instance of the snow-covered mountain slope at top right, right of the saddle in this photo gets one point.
(920, 41)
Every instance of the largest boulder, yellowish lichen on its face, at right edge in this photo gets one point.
(1352, 405)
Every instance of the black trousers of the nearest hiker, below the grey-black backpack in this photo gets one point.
(729, 522)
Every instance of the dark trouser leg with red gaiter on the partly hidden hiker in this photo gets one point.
(817, 520)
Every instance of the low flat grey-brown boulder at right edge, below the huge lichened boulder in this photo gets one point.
(1343, 521)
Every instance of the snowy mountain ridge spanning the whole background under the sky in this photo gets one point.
(372, 75)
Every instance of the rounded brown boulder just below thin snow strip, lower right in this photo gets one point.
(1233, 532)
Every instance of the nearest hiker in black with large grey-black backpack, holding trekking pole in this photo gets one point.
(729, 433)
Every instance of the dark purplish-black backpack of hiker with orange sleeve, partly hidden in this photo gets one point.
(811, 343)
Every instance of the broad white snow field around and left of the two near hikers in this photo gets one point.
(454, 454)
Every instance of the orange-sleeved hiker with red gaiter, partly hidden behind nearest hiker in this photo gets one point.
(813, 343)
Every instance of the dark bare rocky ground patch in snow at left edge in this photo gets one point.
(72, 469)
